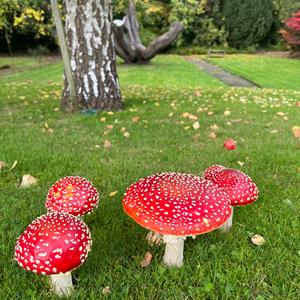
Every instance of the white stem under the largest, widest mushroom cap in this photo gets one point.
(174, 251)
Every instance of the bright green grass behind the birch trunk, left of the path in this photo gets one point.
(169, 71)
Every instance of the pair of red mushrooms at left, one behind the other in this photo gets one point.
(58, 242)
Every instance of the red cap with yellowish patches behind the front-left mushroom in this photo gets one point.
(72, 195)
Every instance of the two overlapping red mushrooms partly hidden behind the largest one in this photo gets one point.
(239, 187)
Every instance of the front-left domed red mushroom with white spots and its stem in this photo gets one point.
(54, 244)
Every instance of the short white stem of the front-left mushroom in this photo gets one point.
(61, 284)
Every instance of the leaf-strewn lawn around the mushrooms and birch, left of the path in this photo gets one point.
(216, 266)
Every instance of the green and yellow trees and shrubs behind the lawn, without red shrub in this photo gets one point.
(208, 23)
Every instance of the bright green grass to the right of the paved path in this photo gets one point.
(267, 72)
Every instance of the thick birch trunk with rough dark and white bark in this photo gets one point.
(90, 41)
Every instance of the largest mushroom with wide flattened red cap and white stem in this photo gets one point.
(176, 206)
